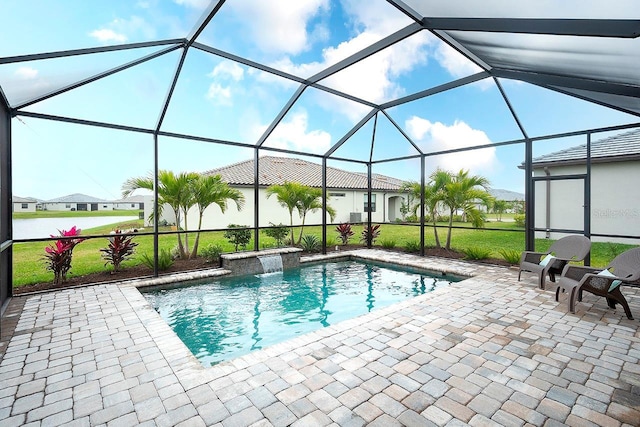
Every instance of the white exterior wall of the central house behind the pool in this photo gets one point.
(272, 213)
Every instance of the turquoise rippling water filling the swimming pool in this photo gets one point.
(229, 317)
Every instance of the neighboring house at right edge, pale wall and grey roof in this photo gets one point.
(615, 189)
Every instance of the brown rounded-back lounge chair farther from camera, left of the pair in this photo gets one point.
(569, 248)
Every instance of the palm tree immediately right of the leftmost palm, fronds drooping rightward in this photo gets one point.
(208, 190)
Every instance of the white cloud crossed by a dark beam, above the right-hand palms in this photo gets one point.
(438, 136)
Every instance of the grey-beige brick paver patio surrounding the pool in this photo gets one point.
(488, 350)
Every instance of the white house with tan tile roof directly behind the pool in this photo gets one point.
(347, 194)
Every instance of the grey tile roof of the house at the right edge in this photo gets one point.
(617, 147)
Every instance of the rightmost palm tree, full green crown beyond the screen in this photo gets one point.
(462, 192)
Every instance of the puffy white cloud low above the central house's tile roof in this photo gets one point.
(294, 135)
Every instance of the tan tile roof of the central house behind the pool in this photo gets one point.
(277, 170)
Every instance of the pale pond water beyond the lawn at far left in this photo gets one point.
(44, 227)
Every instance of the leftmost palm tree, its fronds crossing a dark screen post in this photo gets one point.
(173, 190)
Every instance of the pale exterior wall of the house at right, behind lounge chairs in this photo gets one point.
(615, 201)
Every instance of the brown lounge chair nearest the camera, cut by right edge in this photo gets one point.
(624, 268)
